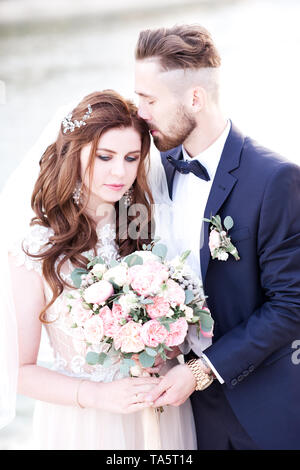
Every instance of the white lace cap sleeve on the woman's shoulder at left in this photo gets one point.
(34, 242)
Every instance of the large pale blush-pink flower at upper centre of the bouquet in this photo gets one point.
(147, 278)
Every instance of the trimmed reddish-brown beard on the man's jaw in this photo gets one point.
(183, 126)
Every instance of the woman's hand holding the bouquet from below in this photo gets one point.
(124, 395)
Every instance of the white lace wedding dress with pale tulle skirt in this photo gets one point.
(70, 427)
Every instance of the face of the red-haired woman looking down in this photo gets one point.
(116, 164)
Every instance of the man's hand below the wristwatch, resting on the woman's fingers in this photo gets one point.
(175, 388)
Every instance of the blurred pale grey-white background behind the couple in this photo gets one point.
(55, 52)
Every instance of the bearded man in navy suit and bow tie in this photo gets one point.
(245, 388)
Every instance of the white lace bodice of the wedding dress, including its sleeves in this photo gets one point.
(68, 345)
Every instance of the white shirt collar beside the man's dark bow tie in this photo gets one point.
(210, 157)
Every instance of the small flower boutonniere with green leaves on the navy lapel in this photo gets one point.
(219, 241)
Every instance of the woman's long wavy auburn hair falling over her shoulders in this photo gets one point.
(52, 199)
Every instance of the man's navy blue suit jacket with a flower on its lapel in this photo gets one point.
(255, 301)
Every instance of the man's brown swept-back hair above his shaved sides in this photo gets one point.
(179, 47)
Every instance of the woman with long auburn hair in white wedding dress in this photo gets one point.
(95, 168)
